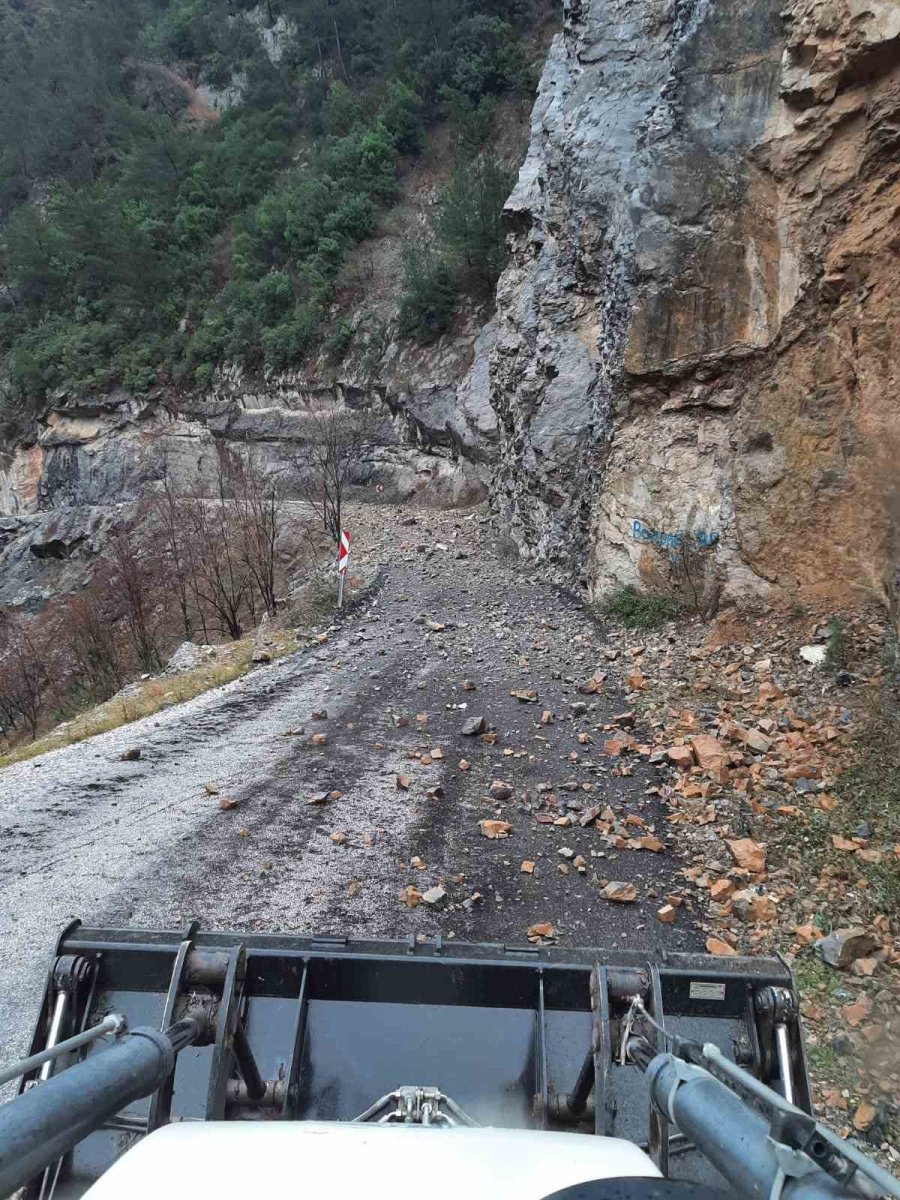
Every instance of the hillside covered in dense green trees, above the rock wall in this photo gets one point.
(181, 183)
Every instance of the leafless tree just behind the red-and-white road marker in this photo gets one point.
(328, 460)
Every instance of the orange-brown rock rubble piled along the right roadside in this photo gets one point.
(751, 735)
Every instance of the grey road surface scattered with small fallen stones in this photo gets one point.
(452, 629)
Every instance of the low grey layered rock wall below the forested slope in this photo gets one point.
(85, 466)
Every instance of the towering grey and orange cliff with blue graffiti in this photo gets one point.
(700, 326)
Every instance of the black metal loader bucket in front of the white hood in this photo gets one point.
(327, 1028)
